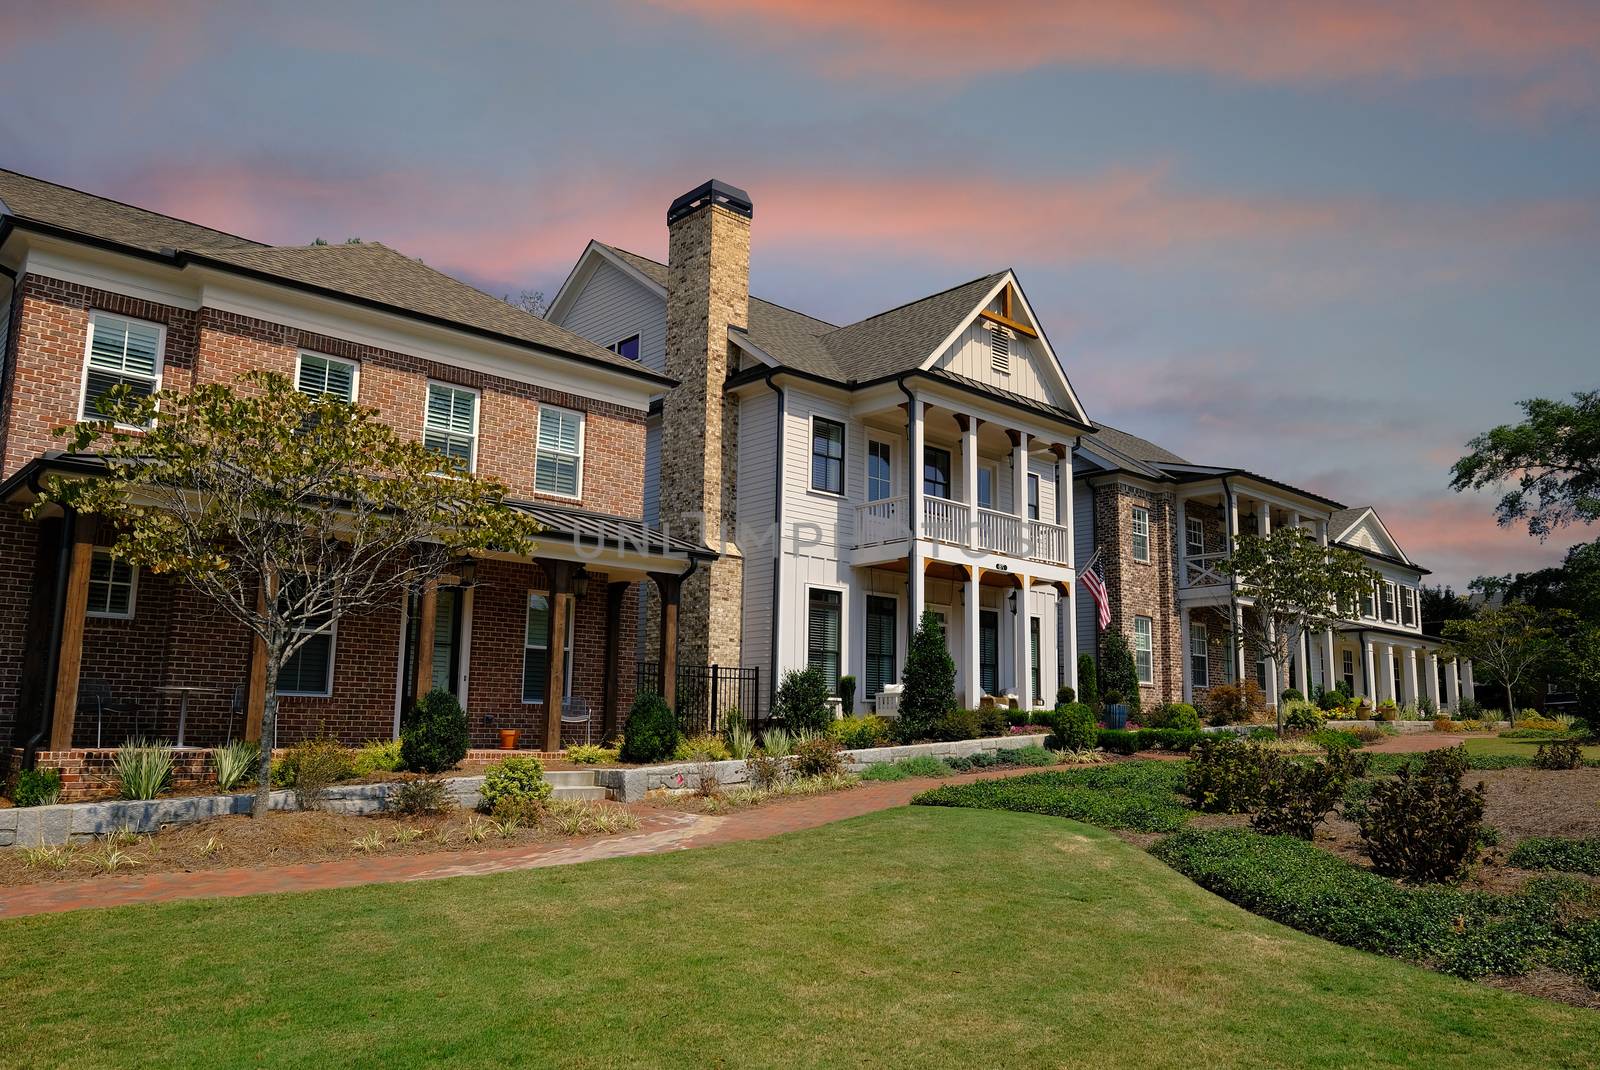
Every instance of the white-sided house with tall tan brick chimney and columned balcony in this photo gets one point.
(852, 476)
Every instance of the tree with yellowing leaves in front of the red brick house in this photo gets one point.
(289, 511)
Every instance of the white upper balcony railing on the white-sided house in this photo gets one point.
(950, 522)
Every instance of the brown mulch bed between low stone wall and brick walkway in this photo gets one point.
(282, 839)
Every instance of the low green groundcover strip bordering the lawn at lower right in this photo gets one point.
(1465, 933)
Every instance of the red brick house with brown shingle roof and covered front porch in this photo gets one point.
(95, 293)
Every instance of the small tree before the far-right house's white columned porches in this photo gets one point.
(1298, 588)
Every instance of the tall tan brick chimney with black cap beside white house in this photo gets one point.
(708, 292)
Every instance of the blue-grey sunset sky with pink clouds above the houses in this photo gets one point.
(1322, 242)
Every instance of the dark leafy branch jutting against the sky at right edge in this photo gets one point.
(1553, 457)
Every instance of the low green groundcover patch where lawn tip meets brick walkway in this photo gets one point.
(1138, 796)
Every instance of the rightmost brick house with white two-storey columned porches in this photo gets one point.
(1164, 524)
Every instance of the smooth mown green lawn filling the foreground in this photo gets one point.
(919, 936)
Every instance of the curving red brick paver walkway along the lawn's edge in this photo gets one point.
(660, 831)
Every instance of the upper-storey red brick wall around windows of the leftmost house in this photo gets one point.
(214, 346)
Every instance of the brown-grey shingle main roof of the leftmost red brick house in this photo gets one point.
(370, 273)
